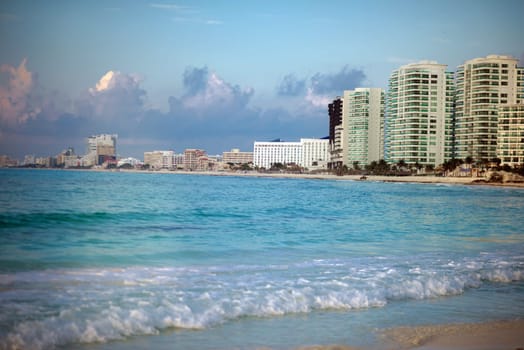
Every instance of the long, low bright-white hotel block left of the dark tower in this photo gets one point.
(308, 153)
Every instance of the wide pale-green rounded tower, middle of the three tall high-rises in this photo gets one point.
(419, 114)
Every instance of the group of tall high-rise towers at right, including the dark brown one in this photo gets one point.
(430, 115)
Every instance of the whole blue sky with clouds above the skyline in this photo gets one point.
(216, 75)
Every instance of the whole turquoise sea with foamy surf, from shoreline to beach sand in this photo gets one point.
(119, 260)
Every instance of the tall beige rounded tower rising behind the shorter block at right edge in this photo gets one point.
(483, 84)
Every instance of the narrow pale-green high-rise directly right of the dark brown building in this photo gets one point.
(363, 126)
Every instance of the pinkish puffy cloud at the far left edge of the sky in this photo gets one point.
(16, 104)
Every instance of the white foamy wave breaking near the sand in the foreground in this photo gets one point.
(51, 308)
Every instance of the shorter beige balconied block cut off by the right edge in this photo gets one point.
(510, 136)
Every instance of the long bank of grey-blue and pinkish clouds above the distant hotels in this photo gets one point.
(209, 112)
